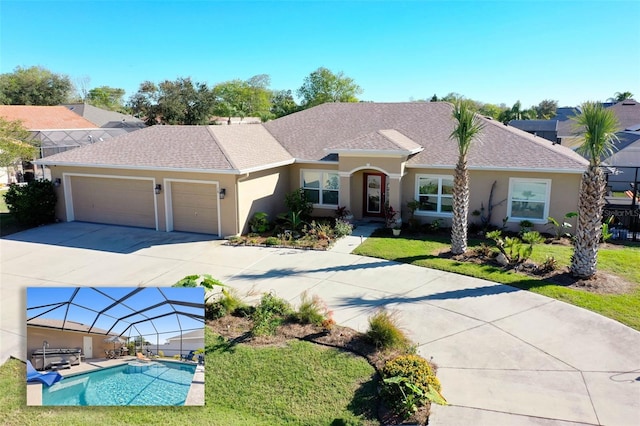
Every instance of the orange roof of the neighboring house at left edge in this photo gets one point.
(45, 117)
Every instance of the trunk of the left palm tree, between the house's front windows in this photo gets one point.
(460, 208)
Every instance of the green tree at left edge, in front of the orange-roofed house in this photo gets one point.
(16, 143)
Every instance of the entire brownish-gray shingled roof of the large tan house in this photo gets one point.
(420, 130)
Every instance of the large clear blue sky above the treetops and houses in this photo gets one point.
(499, 51)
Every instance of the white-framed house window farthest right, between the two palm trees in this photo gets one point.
(529, 200)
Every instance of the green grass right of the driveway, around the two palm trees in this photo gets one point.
(618, 260)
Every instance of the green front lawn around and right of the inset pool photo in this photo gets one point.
(299, 384)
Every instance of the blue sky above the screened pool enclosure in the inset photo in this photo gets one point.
(87, 303)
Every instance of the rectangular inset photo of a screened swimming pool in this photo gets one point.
(90, 346)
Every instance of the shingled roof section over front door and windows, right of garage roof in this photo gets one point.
(306, 135)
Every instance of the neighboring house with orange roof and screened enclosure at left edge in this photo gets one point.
(57, 129)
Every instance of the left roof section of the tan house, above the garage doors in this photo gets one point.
(182, 148)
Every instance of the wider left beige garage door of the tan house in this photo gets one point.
(128, 202)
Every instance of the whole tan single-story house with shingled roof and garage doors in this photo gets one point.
(212, 179)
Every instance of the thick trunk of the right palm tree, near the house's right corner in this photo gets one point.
(589, 228)
